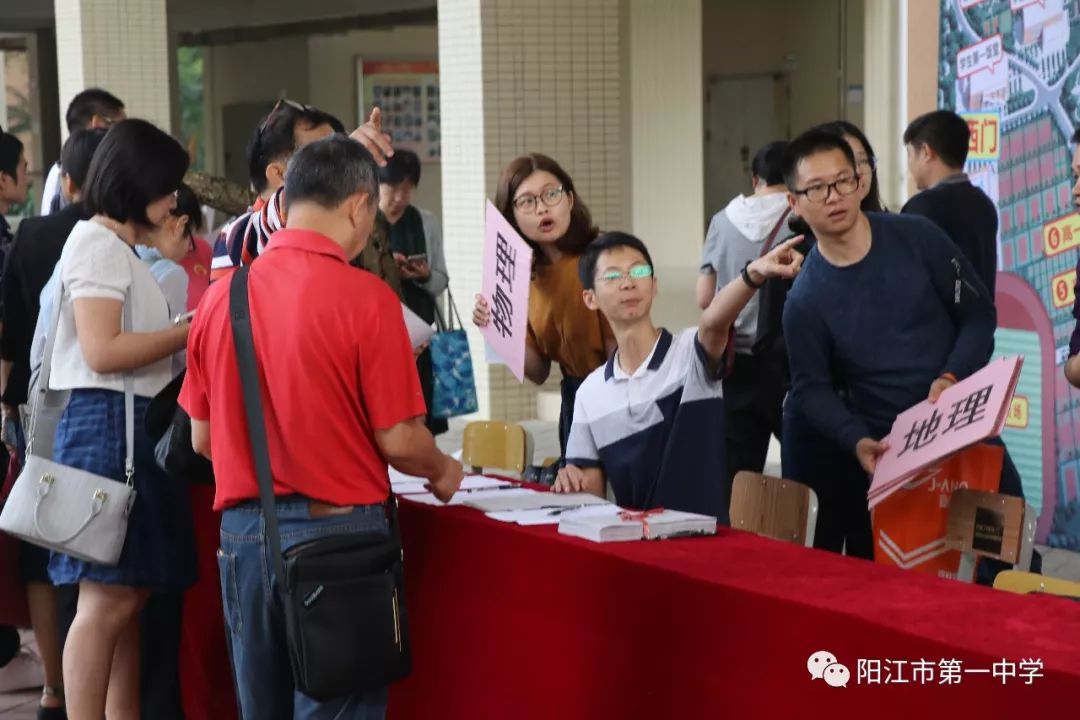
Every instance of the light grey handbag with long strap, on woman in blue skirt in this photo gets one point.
(65, 509)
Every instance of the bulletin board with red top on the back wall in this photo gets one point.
(408, 92)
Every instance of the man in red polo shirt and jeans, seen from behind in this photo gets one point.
(342, 400)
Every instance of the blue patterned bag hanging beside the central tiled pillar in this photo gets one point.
(455, 391)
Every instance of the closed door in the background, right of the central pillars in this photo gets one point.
(745, 114)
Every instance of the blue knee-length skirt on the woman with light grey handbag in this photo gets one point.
(159, 552)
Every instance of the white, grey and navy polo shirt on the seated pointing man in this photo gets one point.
(658, 436)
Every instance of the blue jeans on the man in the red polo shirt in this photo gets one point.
(253, 617)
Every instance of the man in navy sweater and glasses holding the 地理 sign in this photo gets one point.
(887, 309)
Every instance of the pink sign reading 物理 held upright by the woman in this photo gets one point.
(508, 267)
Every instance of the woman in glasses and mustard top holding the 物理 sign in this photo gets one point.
(537, 198)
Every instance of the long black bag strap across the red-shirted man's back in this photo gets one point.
(245, 344)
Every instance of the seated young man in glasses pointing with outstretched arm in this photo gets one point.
(651, 423)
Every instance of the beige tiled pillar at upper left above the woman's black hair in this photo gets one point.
(120, 46)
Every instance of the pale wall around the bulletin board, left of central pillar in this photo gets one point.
(332, 83)
